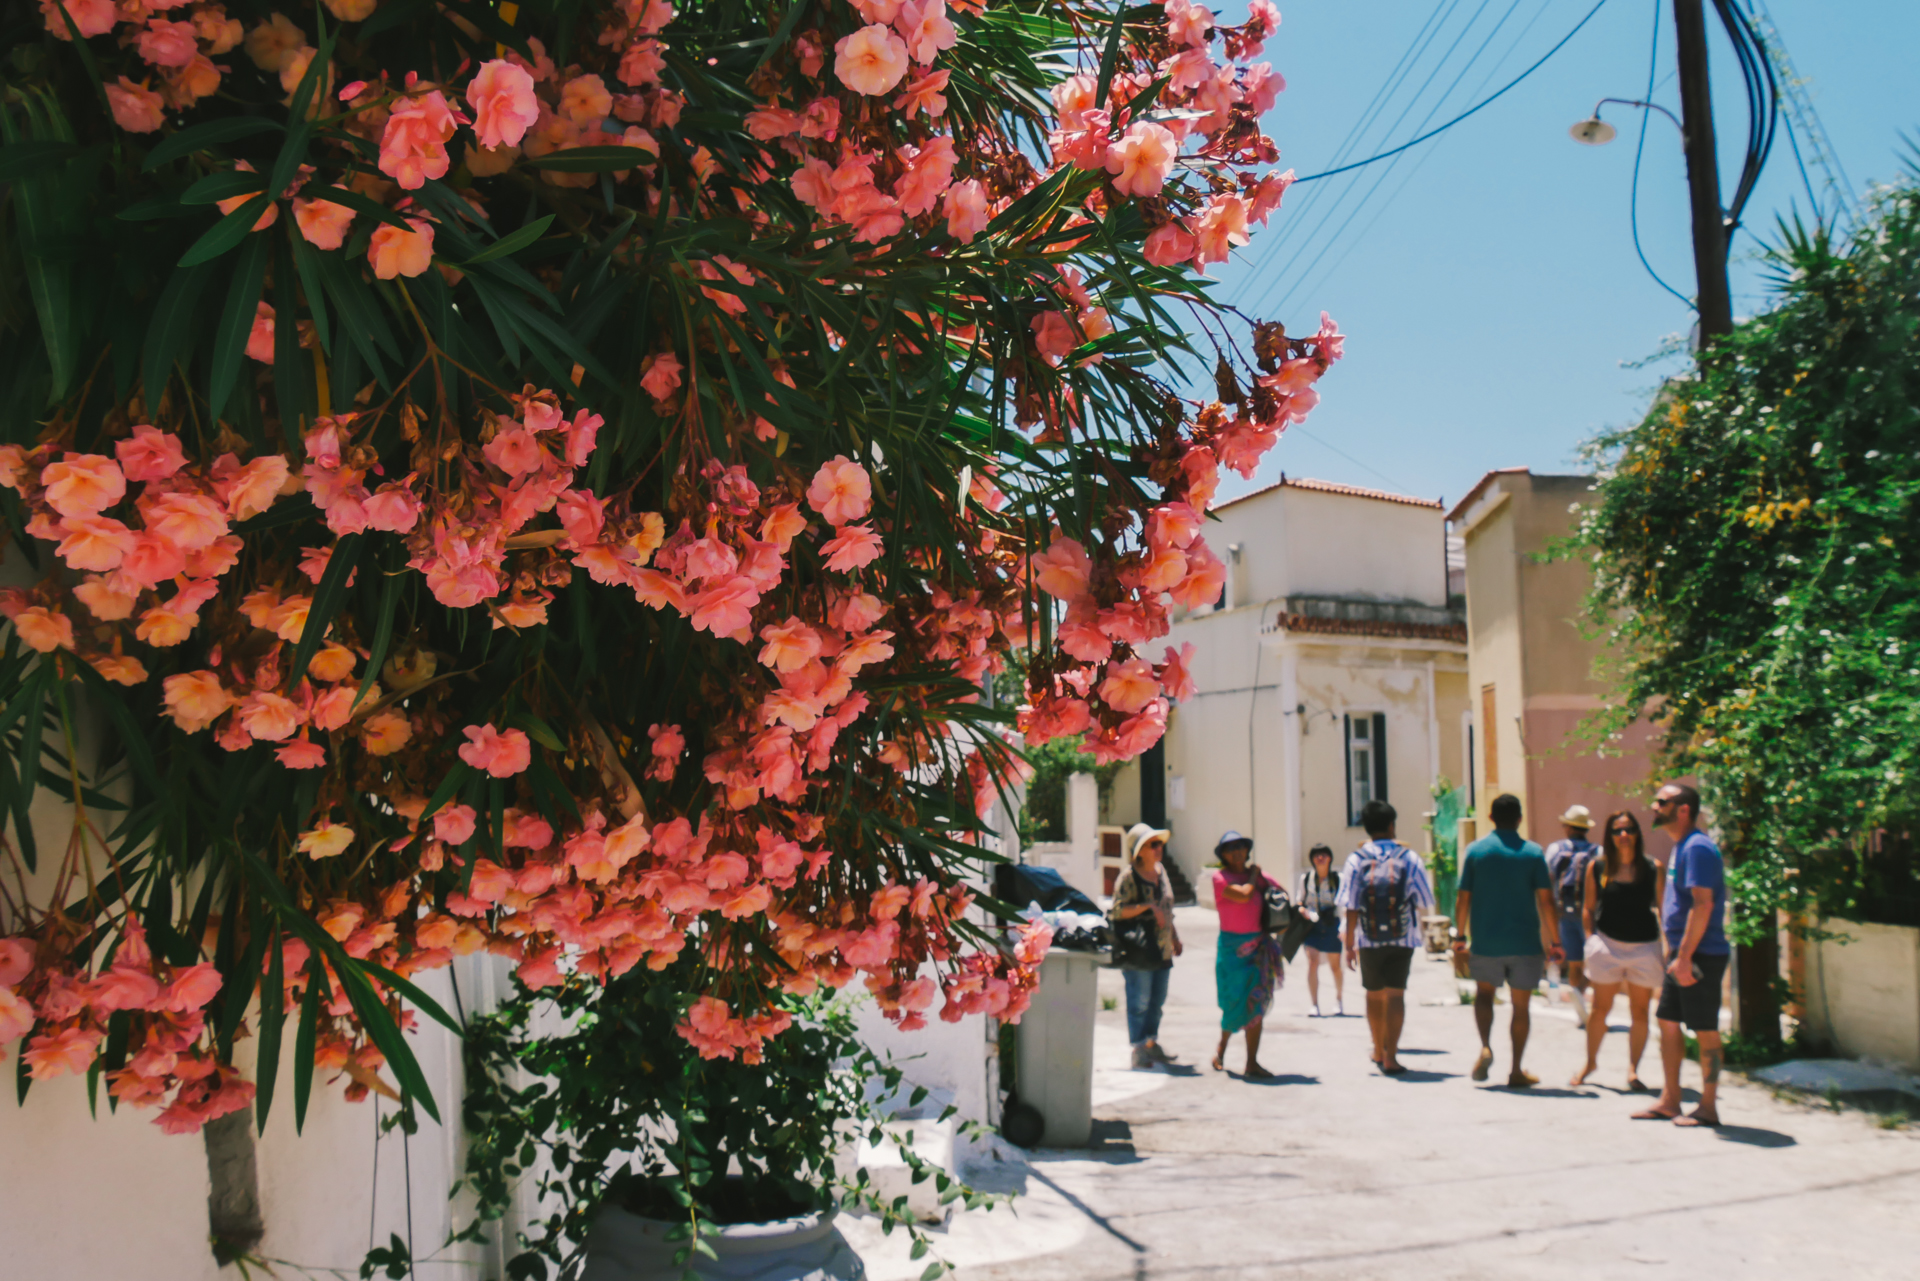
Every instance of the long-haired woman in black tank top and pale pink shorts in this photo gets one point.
(1623, 946)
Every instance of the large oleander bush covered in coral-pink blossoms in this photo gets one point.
(798, 531)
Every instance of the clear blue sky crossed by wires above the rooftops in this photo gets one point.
(1489, 285)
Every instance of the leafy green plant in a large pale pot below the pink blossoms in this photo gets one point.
(663, 1161)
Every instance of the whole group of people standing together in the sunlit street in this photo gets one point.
(1610, 915)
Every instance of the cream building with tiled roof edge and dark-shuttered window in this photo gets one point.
(1332, 671)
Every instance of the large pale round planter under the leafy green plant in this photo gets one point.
(809, 1247)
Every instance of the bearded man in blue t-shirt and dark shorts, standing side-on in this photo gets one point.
(1694, 923)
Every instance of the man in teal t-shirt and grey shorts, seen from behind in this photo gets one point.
(1506, 909)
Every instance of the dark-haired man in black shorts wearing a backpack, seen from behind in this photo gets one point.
(1383, 892)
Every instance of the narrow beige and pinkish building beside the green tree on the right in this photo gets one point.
(1531, 665)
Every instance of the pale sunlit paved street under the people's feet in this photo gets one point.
(1337, 1172)
